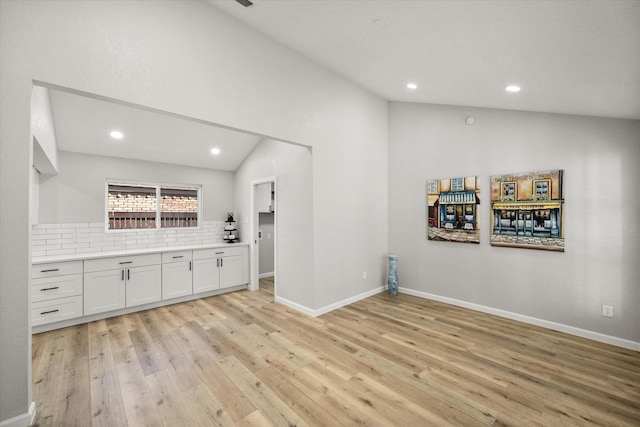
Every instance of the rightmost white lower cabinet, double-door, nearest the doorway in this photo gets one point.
(220, 268)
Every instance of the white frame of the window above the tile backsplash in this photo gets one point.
(158, 213)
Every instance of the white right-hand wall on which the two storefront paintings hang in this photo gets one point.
(600, 158)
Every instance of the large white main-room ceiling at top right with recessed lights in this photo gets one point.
(569, 56)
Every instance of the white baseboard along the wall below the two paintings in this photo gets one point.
(596, 336)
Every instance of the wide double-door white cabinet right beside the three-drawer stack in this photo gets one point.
(114, 283)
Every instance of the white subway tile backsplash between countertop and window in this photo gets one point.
(76, 238)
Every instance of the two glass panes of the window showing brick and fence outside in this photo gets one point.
(144, 206)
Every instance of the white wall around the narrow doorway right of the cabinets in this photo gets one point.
(291, 165)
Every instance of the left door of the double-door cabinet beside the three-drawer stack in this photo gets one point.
(104, 291)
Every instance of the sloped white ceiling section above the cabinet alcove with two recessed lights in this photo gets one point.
(83, 124)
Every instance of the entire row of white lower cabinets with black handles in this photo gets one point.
(73, 289)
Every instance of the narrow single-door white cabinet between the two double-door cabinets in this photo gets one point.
(177, 277)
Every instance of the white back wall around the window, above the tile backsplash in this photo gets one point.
(77, 193)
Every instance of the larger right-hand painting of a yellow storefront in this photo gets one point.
(527, 210)
